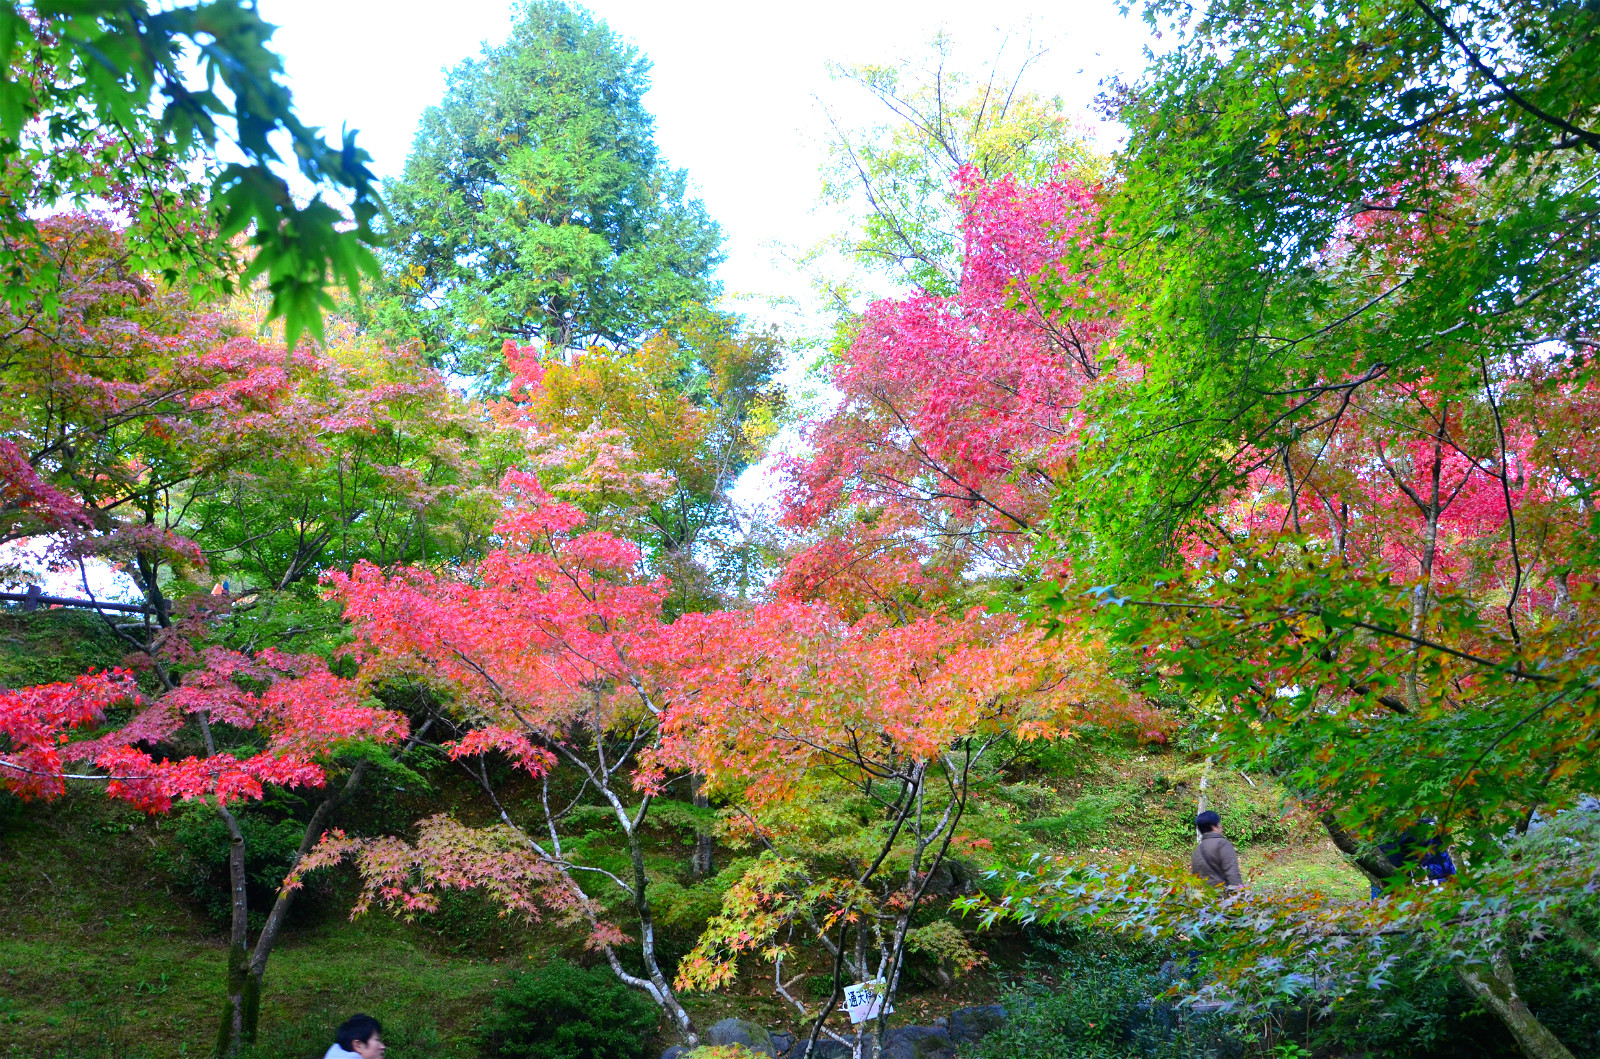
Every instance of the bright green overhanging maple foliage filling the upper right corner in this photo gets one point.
(1321, 198)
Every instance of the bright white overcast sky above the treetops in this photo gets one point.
(734, 89)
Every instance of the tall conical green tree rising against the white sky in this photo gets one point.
(537, 207)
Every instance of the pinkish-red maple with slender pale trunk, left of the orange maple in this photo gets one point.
(537, 650)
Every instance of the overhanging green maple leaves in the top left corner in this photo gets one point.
(98, 103)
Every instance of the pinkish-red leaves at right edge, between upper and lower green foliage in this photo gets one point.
(1426, 487)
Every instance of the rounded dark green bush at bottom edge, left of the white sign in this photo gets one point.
(562, 1012)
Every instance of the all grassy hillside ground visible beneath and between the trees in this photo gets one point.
(102, 957)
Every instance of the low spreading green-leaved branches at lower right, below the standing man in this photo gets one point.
(1263, 948)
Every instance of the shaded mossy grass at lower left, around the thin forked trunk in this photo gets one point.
(100, 959)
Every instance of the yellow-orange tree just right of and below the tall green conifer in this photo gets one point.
(650, 442)
